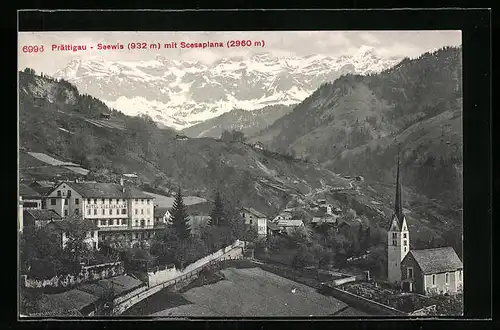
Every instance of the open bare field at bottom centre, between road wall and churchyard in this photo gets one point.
(254, 292)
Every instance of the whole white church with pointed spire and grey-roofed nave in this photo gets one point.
(427, 271)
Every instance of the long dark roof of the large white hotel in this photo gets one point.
(106, 190)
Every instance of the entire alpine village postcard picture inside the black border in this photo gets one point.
(274, 174)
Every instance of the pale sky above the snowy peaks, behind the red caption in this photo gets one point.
(280, 43)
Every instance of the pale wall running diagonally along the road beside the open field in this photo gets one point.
(188, 274)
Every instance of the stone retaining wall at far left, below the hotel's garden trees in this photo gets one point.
(87, 274)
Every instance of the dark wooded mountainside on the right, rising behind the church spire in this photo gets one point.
(357, 124)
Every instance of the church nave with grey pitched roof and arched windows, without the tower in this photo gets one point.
(432, 271)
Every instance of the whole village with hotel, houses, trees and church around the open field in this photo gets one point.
(122, 226)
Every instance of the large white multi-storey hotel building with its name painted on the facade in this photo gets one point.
(116, 209)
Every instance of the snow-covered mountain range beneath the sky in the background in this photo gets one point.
(180, 94)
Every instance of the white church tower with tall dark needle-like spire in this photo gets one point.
(398, 237)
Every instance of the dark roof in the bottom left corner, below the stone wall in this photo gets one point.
(69, 300)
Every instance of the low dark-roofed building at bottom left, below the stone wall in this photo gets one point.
(72, 302)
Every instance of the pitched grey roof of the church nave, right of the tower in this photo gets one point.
(437, 260)
